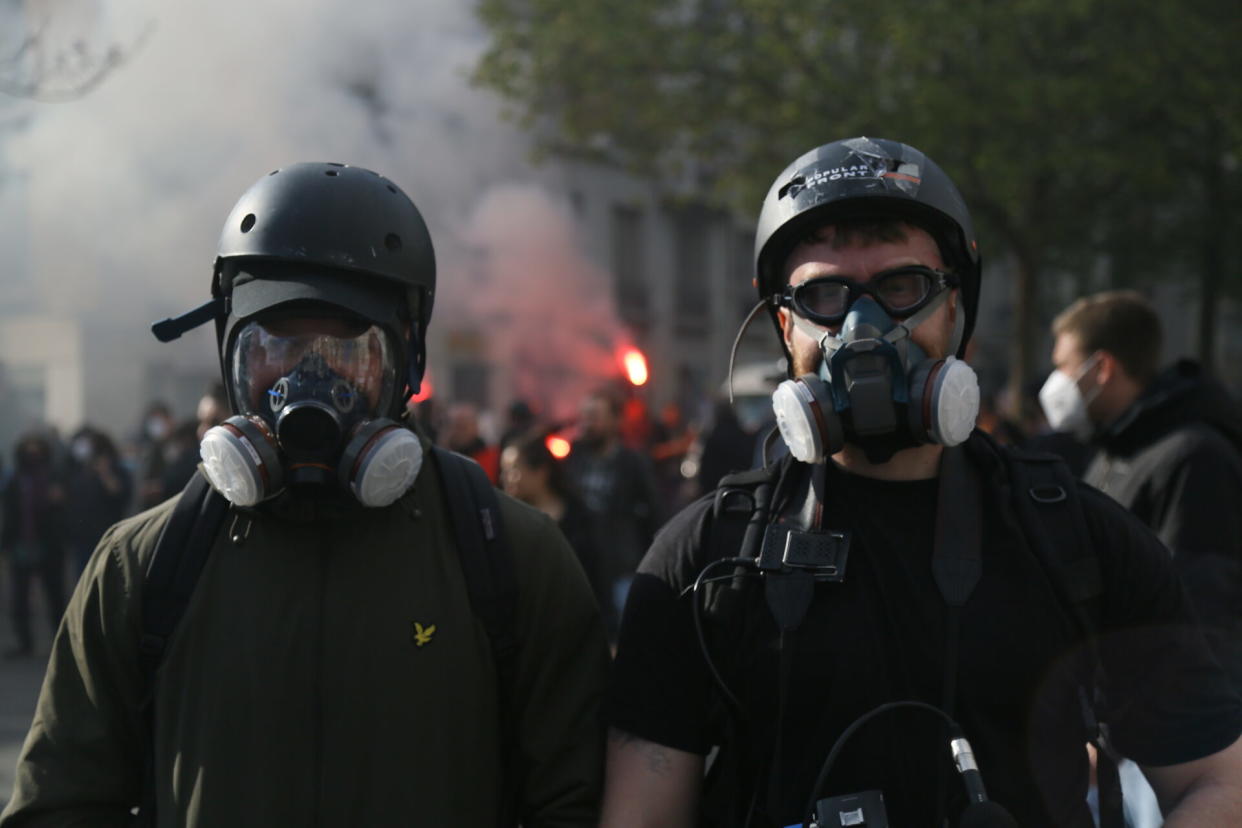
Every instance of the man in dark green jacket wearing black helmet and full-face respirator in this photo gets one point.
(336, 624)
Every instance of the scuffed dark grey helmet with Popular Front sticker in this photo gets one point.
(868, 178)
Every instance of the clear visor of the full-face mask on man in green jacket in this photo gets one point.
(352, 354)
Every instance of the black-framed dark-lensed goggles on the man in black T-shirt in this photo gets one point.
(901, 292)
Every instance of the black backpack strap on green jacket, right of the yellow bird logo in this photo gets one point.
(487, 565)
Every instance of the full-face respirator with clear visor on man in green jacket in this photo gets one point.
(309, 392)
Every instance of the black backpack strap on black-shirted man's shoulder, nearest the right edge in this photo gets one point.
(1048, 502)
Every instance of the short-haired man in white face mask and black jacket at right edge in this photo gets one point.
(1168, 448)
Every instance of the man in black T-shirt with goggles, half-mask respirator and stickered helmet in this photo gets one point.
(868, 631)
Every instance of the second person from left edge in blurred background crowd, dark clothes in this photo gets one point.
(99, 493)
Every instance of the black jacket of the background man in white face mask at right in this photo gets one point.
(1176, 461)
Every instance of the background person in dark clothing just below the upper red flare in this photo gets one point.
(619, 488)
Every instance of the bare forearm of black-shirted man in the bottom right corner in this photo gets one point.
(1203, 793)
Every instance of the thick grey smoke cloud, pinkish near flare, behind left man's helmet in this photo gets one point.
(125, 189)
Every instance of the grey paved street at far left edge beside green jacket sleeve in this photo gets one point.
(19, 683)
